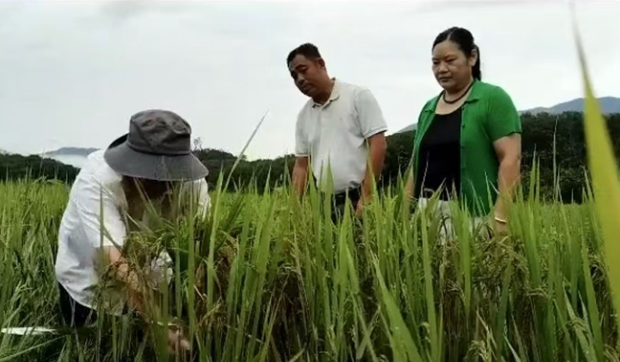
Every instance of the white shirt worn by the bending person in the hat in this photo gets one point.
(98, 188)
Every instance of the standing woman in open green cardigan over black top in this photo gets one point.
(468, 138)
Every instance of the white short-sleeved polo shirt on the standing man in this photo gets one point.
(334, 134)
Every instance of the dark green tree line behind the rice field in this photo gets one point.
(555, 142)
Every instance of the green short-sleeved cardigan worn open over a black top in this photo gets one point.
(488, 115)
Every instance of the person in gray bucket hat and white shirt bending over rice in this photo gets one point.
(114, 187)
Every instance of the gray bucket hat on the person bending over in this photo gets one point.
(157, 147)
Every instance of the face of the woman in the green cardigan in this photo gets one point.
(451, 67)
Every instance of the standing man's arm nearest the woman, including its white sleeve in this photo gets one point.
(373, 128)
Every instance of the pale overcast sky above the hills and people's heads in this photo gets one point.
(73, 72)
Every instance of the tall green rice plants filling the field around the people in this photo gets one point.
(266, 277)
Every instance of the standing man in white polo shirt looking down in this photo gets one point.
(341, 127)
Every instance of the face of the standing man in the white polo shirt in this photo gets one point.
(309, 75)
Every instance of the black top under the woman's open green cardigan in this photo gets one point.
(439, 163)
